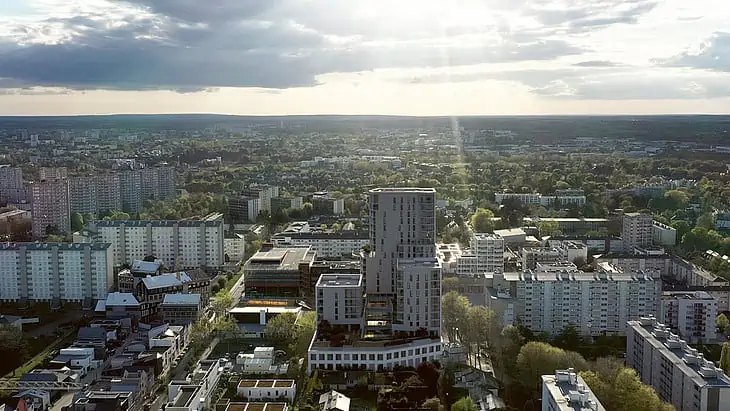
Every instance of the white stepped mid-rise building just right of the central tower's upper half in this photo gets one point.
(485, 255)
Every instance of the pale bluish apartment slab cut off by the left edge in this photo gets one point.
(55, 272)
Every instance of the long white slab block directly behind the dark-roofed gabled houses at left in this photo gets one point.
(181, 244)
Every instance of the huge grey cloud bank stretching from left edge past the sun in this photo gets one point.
(191, 45)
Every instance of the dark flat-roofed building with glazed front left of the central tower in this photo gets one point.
(277, 272)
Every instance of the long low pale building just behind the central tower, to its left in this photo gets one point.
(332, 245)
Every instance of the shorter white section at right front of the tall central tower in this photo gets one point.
(419, 296)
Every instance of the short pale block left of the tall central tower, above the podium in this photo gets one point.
(339, 299)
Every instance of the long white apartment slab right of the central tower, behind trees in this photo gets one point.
(556, 295)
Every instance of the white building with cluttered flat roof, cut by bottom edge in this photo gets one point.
(567, 391)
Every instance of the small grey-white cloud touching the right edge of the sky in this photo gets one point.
(714, 54)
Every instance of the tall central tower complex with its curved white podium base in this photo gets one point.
(401, 320)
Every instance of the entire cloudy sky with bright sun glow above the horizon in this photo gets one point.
(398, 57)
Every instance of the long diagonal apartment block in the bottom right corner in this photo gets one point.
(678, 373)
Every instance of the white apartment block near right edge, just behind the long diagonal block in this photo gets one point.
(690, 314)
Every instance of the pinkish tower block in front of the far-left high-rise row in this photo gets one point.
(50, 206)
